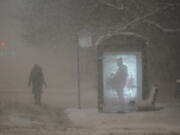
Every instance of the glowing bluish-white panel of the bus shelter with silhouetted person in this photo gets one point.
(121, 80)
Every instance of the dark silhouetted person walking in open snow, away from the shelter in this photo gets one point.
(37, 81)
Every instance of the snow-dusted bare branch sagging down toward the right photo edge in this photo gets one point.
(161, 27)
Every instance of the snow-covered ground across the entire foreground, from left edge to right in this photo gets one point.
(49, 121)
